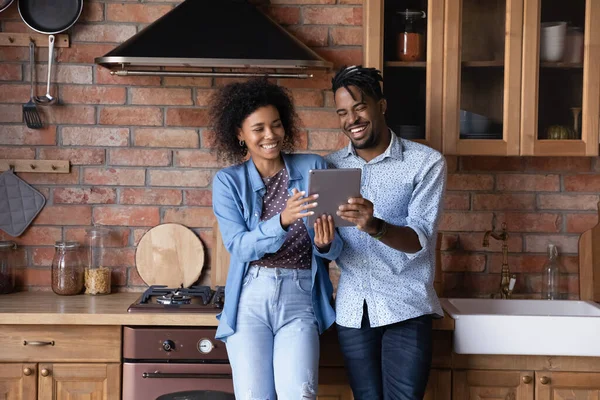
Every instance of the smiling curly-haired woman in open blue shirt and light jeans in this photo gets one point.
(278, 292)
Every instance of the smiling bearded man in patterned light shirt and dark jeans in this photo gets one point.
(385, 299)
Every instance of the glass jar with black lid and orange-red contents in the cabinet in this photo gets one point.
(411, 42)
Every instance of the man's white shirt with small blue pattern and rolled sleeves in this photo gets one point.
(406, 185)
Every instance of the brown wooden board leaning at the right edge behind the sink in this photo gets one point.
(589, 263)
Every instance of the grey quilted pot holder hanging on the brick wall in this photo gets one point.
(19, 203)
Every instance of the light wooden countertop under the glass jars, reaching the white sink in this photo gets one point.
(47, 308)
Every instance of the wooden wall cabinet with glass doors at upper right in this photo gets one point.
(483, 88)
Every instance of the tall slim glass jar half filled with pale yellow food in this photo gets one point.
(97, 274)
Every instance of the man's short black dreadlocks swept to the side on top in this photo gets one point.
(365, 79)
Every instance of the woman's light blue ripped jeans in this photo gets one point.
(274, 352)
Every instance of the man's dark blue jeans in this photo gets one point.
(390, 362)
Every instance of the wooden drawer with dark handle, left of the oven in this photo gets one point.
(60, 343)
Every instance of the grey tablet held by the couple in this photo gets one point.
(334, 187)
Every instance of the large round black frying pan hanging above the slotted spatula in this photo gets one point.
(50, 16)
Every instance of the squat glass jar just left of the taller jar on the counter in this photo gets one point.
(67, 269)
